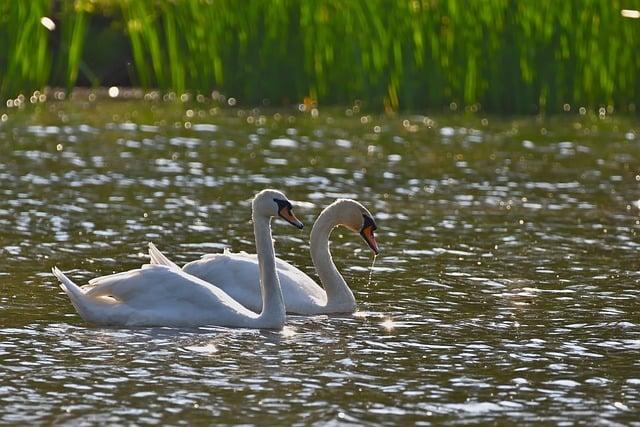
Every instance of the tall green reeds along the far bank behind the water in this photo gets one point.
(498, 55)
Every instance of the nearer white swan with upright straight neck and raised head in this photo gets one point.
(160, 295)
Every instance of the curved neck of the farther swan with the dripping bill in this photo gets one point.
(339, 296)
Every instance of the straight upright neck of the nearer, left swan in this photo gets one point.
(273, 308)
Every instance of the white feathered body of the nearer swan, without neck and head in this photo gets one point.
(155, 295)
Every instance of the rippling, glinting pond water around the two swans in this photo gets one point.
(506, 290)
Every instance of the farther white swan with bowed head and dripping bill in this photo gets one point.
(237, 273)
